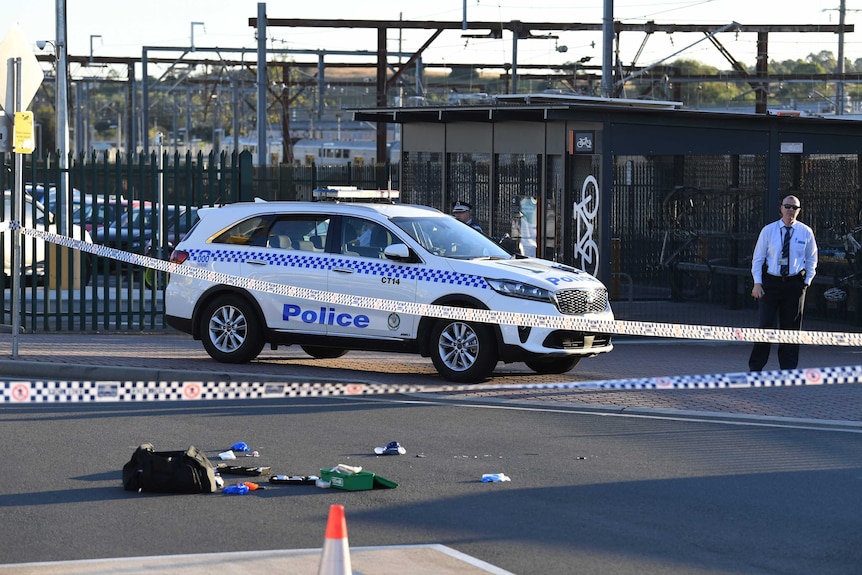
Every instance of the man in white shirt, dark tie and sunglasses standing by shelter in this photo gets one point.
(783, 266)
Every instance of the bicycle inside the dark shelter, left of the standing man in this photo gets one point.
(690, 273)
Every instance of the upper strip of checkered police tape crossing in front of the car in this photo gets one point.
(571, 323)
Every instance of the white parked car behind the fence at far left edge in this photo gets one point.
(34, 216)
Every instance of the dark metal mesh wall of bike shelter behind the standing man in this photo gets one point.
(685, 229)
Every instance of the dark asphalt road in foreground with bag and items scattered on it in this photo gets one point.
(589, 492)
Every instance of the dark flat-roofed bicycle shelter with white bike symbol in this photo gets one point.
(661, 203)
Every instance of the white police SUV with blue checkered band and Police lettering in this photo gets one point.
(381, 252)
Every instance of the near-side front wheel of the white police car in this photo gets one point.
(463, 352)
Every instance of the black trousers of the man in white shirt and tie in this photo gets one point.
(780, 307)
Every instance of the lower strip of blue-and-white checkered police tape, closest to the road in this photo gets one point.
(132, 391)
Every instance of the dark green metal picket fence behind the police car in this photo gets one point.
(115, 199)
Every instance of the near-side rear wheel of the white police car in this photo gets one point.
(231, 331)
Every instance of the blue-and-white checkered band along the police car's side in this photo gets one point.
(290, 259)
